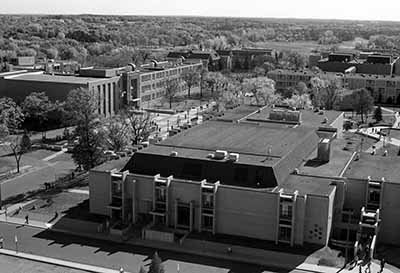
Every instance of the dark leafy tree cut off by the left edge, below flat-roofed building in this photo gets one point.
(11, 116)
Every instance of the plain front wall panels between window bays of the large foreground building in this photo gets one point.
(239, 211)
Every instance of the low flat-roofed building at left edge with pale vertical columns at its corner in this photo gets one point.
(18, 85)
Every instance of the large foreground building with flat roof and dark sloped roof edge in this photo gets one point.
(232, 176)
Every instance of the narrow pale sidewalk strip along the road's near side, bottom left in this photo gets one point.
(73, 265)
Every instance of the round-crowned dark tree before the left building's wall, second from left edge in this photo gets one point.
(36, 108)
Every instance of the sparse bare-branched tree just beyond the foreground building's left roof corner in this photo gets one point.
(139, 125)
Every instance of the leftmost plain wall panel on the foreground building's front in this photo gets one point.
(100, 192)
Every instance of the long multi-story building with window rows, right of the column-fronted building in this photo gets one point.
(146, 85)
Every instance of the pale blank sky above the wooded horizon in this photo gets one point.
(320, 9)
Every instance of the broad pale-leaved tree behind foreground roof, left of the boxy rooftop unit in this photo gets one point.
(262, 90)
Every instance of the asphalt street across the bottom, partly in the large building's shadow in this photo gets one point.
(111, 255)
